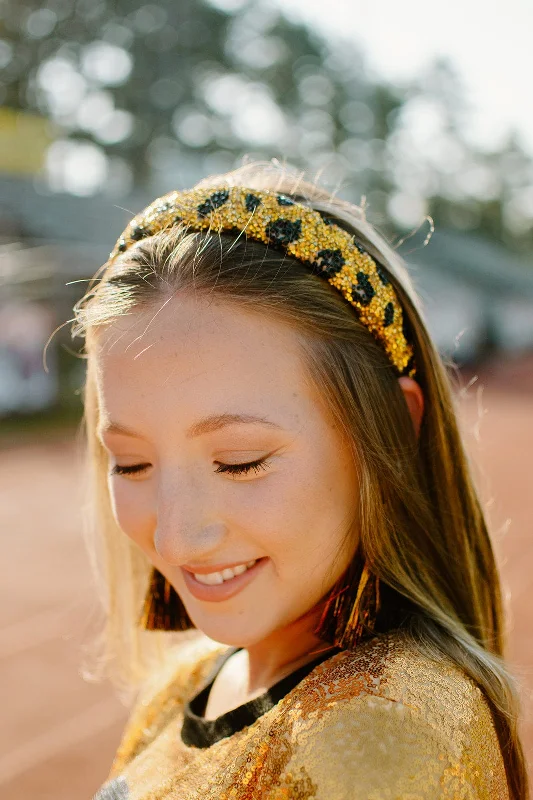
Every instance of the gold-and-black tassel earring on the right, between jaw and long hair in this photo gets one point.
(346, 618)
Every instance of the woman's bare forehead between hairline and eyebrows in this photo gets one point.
(190, 352)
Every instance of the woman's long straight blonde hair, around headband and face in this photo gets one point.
(421, 524)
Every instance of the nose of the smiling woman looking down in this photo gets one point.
(188, 525)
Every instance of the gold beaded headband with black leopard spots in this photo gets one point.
(276, 220)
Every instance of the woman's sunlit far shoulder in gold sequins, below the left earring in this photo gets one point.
(183, 668)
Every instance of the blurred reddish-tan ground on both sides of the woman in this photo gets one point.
(60, 731)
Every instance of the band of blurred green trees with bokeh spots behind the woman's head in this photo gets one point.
(154, 95)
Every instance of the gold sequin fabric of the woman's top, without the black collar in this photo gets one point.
(385, 723)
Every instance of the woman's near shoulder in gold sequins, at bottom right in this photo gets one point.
(394, 722)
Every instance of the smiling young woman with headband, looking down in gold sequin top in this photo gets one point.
(277, 467)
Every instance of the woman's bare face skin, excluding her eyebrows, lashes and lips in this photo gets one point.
(158, 373)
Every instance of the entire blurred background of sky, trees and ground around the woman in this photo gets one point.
(107, 105)
